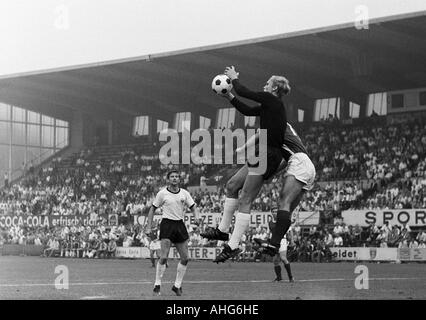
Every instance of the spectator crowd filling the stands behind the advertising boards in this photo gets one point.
(358, 167)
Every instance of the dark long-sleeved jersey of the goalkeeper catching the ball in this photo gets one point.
(271, 111)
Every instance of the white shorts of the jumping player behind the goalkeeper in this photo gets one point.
(301, 167)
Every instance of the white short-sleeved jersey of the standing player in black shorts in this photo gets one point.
(173, 204)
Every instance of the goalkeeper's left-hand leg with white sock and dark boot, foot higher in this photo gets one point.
(233, 186)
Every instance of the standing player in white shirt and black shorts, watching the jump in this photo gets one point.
(173, 201)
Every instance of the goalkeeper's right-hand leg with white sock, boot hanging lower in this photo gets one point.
(251, 188)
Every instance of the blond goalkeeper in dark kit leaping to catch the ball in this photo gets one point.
(272, 115)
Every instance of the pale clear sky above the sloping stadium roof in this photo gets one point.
(48, 34)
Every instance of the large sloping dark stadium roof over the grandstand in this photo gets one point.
(328, 62)
